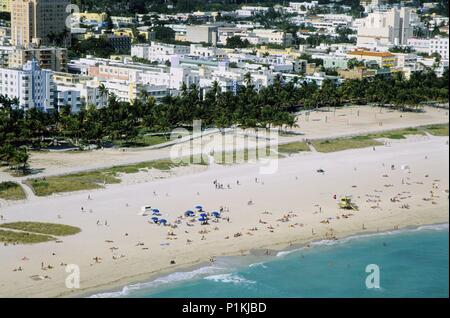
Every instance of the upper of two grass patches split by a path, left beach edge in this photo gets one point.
(42, 228)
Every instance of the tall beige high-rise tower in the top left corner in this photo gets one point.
(39, 22)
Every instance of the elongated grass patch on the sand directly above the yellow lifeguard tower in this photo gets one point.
(340, 144)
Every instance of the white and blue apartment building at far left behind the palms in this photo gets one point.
(33, 87)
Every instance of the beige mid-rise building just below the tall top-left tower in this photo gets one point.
(49, 58)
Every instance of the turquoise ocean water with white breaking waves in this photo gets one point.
(412, 263)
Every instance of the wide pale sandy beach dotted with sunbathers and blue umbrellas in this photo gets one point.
(403, 184)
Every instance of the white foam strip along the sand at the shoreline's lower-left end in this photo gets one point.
(171, 278)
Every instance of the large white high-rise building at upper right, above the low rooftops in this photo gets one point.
(391, 27)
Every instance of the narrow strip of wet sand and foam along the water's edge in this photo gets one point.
(98, 292)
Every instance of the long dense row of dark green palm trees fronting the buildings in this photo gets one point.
(272, 106)
